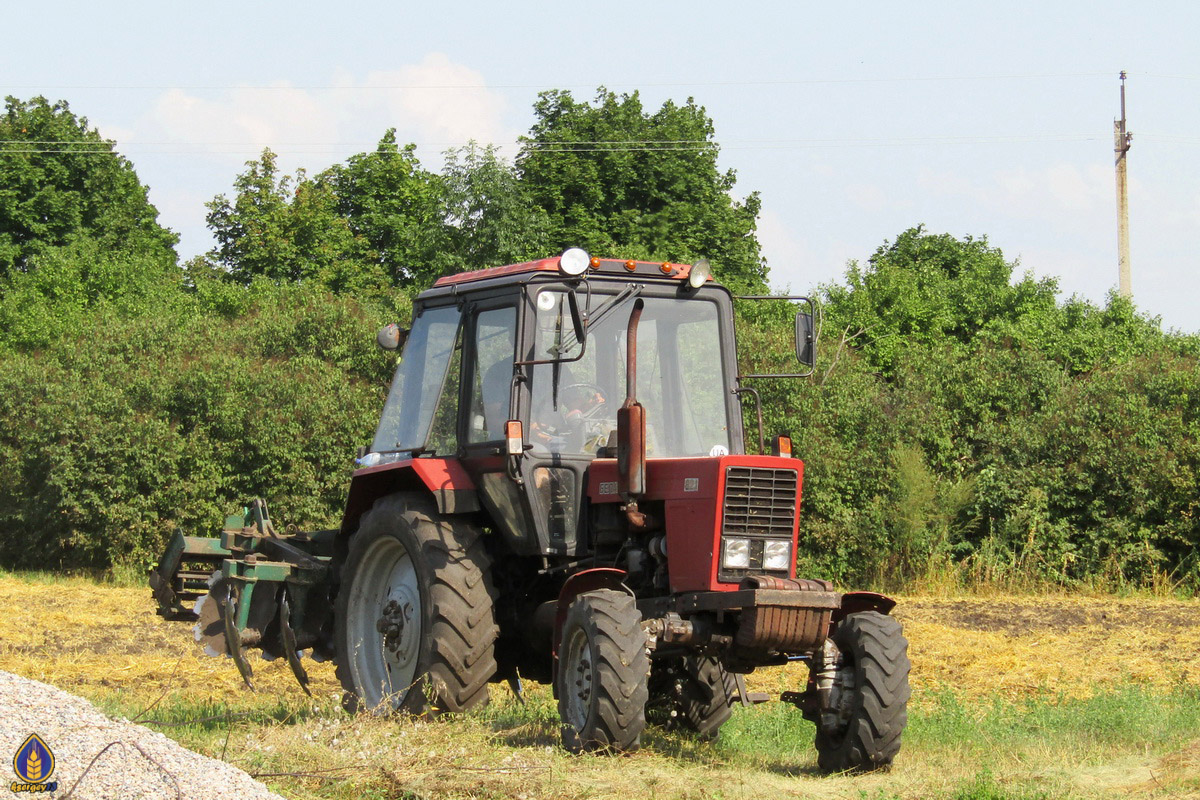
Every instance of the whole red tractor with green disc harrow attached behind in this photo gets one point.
(559, 490)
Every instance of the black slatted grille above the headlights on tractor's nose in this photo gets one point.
(759, 502)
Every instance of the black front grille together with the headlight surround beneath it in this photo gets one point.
(760, 506)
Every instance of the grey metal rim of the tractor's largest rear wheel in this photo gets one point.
(385, 624)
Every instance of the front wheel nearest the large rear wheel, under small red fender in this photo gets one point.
(603, 673)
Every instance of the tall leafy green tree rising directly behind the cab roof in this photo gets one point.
(622, 182)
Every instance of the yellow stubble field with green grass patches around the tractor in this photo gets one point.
(1013, 697)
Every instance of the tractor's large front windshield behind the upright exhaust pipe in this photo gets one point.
(680, 380)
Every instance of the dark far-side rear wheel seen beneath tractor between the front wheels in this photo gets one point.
(694, 694)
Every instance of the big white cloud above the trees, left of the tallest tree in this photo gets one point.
(197, 141)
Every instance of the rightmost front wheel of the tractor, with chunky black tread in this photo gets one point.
(868, 711)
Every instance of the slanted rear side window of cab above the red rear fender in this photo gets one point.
(418, 384)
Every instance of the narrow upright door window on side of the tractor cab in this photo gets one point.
(493, 376)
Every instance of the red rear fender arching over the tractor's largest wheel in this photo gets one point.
(445, 479)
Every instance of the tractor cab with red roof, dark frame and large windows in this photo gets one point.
(501, 347)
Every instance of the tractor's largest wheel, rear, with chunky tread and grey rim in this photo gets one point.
(415, 621)
